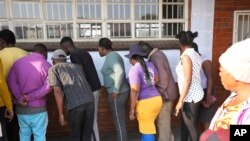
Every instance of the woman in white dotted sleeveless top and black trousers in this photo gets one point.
(189, 83)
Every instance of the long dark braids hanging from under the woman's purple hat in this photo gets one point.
(144, 67)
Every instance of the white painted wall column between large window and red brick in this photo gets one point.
(202, 20)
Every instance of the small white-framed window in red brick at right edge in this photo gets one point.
(242, 25)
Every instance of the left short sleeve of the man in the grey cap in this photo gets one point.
(53, 78)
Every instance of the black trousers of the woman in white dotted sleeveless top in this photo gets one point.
(189, 121)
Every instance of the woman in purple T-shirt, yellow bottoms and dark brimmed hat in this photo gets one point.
(146, 101)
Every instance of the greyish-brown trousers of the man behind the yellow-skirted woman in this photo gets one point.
(164, 122)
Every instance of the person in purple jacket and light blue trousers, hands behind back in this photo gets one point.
(28, 82)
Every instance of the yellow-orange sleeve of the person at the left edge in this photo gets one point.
(4, 91)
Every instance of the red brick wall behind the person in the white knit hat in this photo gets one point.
(223, 35)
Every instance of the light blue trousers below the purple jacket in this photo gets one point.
(35, 124)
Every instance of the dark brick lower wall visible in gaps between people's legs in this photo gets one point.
(105, 121)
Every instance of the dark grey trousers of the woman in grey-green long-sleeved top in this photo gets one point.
(118, 109)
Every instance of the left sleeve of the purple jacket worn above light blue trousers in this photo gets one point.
(13, 84)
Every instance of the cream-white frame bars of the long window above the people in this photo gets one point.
(104, 22)
